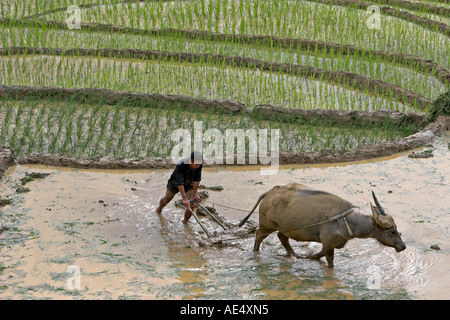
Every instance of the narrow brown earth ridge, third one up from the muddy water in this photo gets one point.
(341, 78)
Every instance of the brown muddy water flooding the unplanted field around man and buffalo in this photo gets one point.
(103, 222)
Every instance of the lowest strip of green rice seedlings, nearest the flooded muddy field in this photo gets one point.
(66, 136)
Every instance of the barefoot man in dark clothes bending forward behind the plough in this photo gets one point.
(184, 179)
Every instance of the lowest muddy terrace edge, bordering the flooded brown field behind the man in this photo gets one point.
(425, 136)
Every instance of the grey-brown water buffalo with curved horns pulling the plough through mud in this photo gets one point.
(304, 214)
